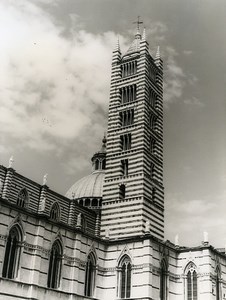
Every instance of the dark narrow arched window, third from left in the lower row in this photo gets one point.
(90, 275)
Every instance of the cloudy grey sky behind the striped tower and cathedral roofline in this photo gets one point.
(55, 60)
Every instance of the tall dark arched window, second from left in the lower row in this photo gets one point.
(55, 263)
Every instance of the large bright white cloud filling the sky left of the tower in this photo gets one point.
(54, 89)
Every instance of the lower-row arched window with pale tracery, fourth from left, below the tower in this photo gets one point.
(124, 282)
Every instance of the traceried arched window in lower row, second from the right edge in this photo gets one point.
(191, 285)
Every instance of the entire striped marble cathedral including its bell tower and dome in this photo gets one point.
(105, 238)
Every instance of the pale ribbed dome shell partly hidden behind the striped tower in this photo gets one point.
(88, 187)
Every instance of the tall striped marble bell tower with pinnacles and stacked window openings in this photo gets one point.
(133, 193)
